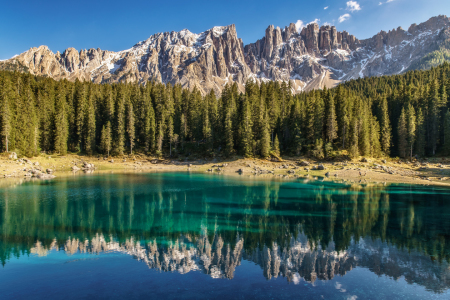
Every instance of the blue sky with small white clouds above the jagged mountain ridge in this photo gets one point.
(118, 25)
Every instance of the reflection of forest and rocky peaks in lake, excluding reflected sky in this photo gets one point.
(183, 223)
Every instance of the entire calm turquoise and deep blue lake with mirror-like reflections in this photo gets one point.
(177, 235)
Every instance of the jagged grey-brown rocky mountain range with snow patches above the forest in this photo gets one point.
(310, 58)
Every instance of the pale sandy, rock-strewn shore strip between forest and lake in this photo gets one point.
(364, 171)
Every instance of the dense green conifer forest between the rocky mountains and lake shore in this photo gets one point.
(401, 115)
